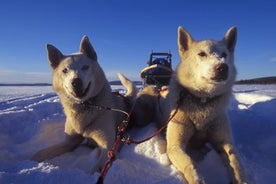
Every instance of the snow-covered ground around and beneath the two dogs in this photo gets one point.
(31, 118)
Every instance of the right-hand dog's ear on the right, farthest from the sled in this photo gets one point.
(230, 38)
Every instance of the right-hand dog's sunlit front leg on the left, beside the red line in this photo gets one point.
(178, 136)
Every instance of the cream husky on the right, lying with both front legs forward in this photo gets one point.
(202, 85)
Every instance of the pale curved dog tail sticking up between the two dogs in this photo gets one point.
(129, 85)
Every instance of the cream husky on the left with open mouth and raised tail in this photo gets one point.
(91, 110)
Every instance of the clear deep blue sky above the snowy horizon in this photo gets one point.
(124, 32)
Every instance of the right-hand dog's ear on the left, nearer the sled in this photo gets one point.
(184, 40)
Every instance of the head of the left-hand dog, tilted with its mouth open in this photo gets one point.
(75, 76)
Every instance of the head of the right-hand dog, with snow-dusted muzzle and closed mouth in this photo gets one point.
(207, 67)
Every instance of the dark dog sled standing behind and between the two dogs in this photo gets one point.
(159, 70)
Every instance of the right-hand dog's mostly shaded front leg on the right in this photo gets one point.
(222, 141)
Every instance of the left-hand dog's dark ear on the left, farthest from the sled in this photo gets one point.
(54, 56)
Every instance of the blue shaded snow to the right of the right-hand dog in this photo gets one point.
(254, 135)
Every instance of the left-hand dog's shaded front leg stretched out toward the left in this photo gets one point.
(70, 143)
